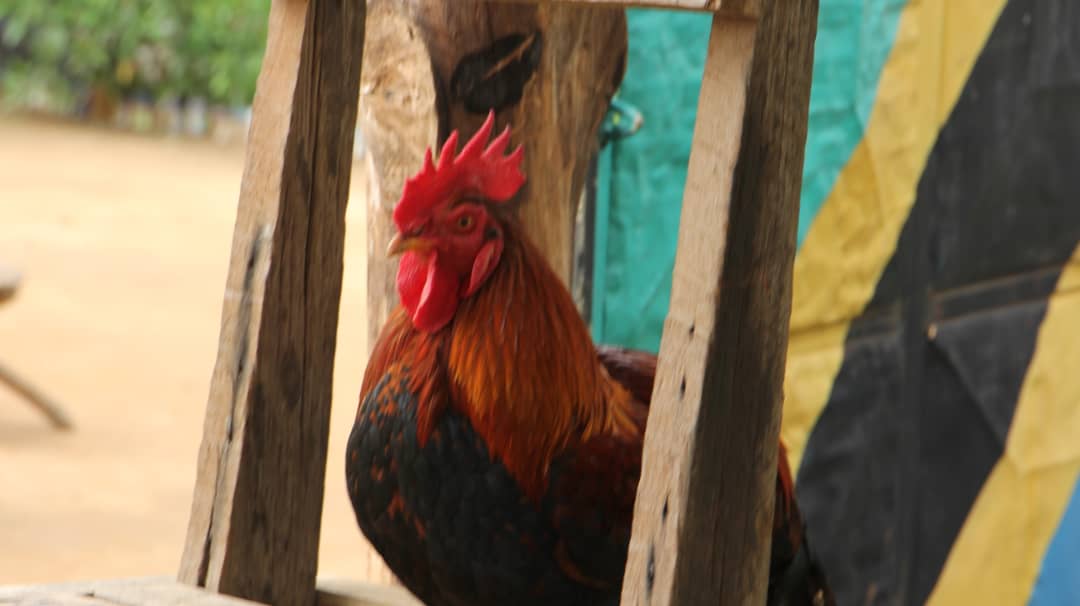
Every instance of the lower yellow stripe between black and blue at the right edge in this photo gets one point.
(997, 557)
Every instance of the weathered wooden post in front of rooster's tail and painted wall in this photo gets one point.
(705, 506)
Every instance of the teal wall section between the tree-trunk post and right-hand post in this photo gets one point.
(664, 77)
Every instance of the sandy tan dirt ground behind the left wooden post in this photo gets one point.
(124, 241)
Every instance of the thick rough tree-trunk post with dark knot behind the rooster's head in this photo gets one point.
(406, 111)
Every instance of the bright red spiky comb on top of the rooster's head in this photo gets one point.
(478, 171)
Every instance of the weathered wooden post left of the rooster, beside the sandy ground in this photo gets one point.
(255, 518)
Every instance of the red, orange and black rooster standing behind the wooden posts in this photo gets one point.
(496, 451)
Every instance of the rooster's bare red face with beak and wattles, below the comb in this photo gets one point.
(448, 257)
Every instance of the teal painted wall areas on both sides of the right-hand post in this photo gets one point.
(643, 190)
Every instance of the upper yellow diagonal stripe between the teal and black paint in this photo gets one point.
(855, 234)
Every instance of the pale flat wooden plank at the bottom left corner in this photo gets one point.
(151, 591)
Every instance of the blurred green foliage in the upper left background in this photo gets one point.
(153, 49)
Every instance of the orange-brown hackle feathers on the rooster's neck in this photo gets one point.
(519, 362)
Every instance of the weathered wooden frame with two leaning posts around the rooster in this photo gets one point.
(705, 503)
